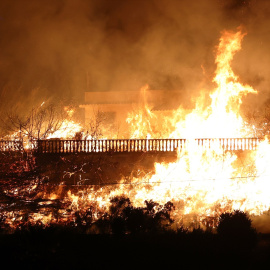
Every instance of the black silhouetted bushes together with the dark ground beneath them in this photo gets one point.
(131, 237)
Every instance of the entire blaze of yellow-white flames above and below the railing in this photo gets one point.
(203, 181)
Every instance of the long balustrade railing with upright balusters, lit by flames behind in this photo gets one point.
(141, 145)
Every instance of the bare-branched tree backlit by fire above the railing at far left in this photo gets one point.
(43, 122)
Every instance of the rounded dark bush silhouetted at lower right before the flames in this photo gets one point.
(236, 231)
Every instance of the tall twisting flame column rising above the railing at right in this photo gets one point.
(221, 119)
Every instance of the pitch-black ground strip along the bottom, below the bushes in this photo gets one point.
(197, 250)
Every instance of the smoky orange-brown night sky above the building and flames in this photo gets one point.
(57, 49)
